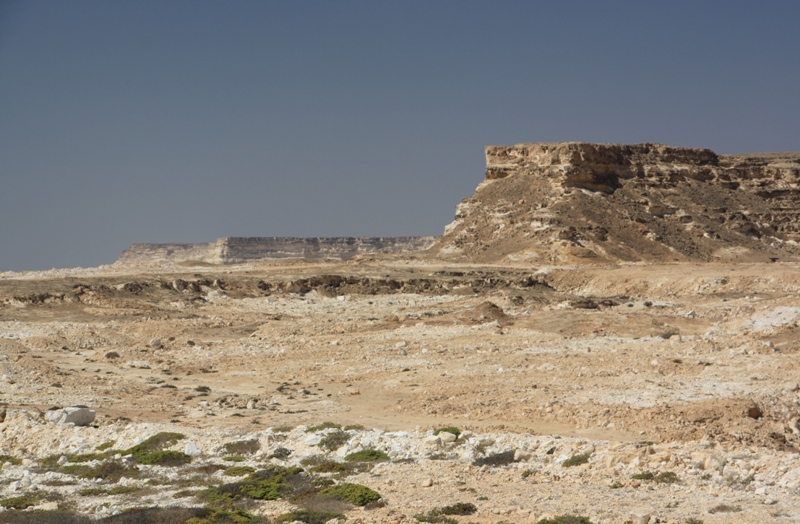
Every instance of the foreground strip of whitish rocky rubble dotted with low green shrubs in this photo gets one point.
(492, 477)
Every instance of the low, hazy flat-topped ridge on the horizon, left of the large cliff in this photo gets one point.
(235, 250)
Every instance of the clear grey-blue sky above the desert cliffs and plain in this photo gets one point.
(185, 121)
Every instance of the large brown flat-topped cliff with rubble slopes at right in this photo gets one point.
(581, 203)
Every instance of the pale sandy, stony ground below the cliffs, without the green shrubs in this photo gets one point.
(686, 368)
